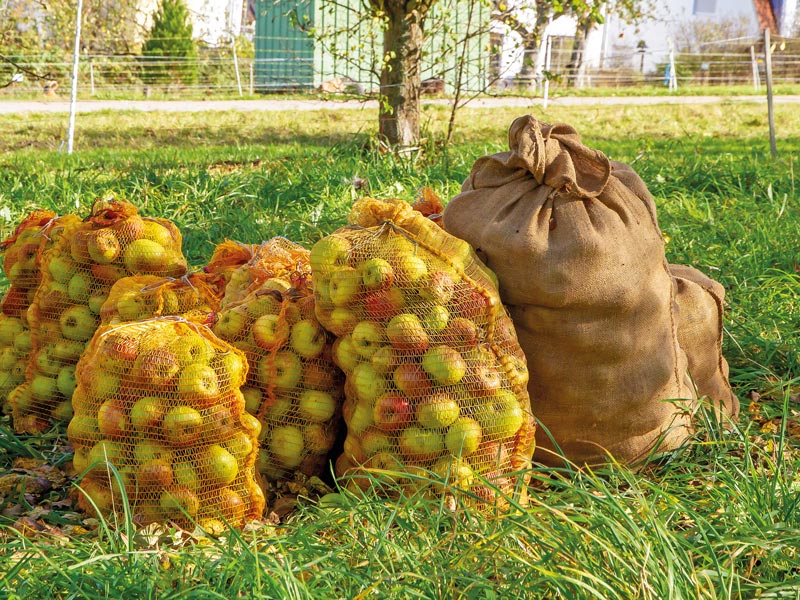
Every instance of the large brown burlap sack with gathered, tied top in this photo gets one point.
(574, 241)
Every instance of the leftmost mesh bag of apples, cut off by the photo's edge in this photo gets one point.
(20, 264)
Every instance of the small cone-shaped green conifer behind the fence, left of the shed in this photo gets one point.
(170, 51)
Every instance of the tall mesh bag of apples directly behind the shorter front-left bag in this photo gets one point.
(77, 274)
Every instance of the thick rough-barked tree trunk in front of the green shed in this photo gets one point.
(400, 77)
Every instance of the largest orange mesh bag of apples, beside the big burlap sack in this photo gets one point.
(435, 378)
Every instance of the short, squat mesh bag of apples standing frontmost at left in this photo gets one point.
(160, 400)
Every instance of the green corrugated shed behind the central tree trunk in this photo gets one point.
(287, 57)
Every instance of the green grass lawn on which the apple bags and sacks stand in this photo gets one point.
(719, 518)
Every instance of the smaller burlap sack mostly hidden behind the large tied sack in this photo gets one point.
(700, 305)
